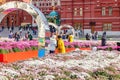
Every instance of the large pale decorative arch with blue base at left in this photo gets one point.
(35, 13)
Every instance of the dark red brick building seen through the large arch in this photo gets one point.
(15, 18)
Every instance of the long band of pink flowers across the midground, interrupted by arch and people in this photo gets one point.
(10, 46)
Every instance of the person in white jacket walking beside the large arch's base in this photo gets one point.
(52, 45)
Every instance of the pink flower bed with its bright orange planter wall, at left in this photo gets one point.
(13, 51)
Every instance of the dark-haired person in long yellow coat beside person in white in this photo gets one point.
(60, 45)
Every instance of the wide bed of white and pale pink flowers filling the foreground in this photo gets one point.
(77, 65)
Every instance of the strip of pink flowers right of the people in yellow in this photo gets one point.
(88, 45)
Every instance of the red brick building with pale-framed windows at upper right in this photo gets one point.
(97, 15)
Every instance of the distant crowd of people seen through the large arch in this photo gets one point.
(23, 32)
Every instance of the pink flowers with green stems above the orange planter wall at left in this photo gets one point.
(10, 46)
